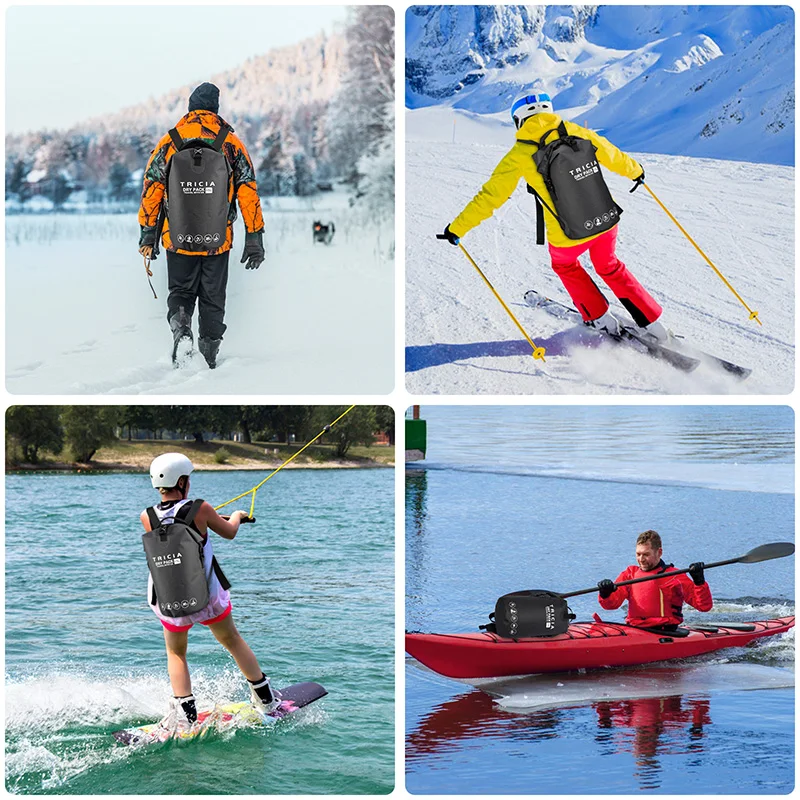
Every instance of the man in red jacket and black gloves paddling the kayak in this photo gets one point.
(657, 603)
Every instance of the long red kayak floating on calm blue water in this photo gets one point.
(586, 645)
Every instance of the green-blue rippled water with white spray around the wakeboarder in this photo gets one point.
(313, 594)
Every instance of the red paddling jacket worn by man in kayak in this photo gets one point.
(656, 603)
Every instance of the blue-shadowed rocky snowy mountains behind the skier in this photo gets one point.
(712, 81)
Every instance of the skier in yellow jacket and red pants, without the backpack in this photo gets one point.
(533, 116)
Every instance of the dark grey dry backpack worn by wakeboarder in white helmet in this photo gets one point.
(175, 558)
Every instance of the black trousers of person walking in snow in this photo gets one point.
(204, 278)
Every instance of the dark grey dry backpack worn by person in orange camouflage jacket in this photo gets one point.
(198, 178)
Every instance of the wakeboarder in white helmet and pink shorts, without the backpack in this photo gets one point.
(169, 474)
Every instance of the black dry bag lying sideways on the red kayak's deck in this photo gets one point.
(535, 612)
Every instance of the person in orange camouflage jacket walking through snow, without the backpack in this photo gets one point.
(200, 272)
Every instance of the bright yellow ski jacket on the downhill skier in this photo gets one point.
(518, 163)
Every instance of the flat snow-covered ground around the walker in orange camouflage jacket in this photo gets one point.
(80, 317)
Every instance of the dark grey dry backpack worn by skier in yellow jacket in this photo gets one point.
(583, 204)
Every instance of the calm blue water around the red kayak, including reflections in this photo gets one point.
(553, 498)
